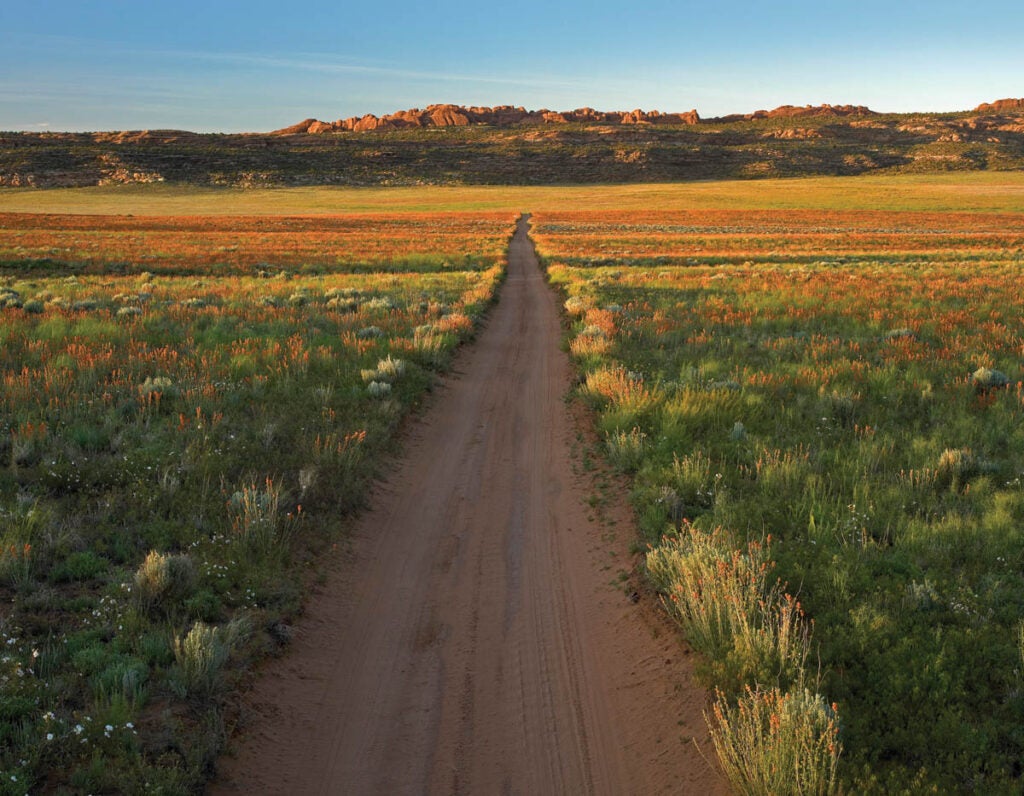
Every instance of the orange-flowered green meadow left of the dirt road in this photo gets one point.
(190, 407)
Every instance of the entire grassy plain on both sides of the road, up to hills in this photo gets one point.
(184, 368)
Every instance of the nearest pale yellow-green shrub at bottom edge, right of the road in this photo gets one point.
(772, 742)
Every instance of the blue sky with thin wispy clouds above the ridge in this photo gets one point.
(106, 65)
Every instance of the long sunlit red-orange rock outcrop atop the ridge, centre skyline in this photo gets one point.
(500, 116)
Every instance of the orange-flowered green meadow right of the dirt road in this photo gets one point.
(822, 411)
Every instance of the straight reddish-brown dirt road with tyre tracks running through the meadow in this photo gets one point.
(475, 643)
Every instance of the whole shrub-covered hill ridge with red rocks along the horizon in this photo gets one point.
(450, 145)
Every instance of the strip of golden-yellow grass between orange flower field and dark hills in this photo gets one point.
(976, 192)
